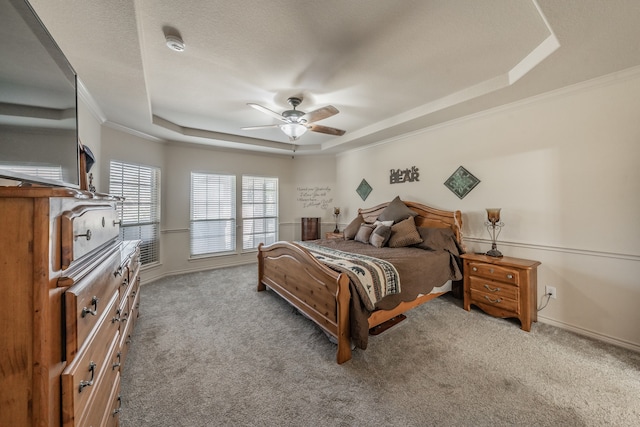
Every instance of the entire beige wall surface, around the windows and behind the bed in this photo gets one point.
(563, 167)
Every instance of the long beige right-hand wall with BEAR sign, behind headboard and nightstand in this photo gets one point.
(563, 168)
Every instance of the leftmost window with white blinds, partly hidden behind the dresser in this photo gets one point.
(140, 211)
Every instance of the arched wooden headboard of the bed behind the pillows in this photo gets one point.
(427, 217)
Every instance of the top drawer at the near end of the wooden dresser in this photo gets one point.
(85, 228)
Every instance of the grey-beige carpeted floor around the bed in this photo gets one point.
(208, 350)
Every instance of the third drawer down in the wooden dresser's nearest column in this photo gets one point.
(83, 379)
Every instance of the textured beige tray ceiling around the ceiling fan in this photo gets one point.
(390, 67)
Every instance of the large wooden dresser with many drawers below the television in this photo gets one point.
(70, 296)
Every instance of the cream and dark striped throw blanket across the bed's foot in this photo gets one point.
(373, 278)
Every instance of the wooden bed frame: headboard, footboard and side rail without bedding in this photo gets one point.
(323, 294)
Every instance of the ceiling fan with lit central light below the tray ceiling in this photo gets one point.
(296, 122)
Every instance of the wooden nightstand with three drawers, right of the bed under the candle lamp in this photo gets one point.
(502, 287)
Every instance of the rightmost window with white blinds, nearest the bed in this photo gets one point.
(259, 211)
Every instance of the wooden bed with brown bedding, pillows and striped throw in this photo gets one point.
(332, 299)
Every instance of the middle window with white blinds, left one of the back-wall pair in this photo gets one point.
(213, 213)
